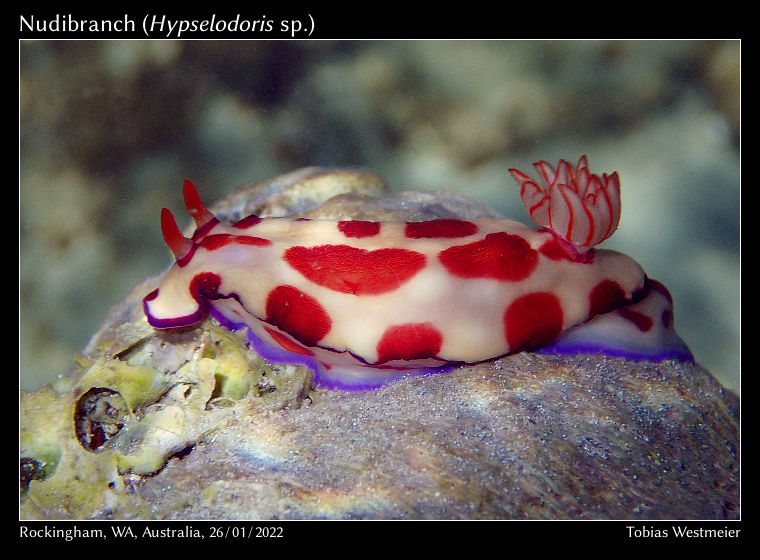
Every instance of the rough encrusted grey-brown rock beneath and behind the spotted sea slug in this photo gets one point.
(526, 436)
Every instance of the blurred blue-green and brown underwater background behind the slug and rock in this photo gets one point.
(110, 129)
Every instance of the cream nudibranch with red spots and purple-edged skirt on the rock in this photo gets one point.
(362, 303)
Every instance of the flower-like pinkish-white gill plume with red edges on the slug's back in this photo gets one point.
(576, 205)
